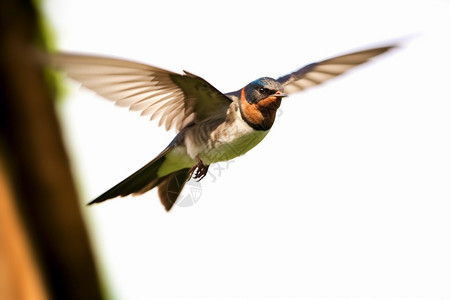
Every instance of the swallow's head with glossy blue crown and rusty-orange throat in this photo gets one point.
(259, 101)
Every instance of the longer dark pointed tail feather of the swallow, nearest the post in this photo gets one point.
(139, 182)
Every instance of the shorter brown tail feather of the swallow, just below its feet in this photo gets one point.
(170, 187)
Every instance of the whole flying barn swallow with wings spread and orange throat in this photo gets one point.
(211, 126)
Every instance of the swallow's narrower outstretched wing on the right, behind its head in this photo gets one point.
(318, 72)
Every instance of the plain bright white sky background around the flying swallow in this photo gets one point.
(348, 196)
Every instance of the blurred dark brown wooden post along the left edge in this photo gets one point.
(44, 246)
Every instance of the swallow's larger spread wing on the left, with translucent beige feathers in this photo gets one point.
(176, 99)
